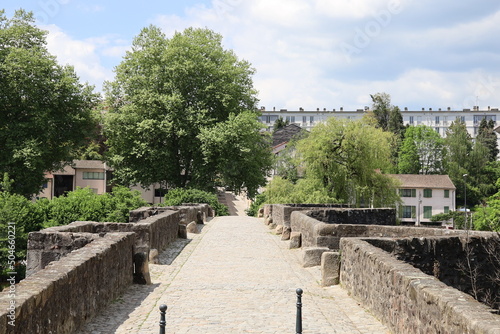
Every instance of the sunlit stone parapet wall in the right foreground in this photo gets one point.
(406, 299)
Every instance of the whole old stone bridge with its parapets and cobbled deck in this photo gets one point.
(239, 274)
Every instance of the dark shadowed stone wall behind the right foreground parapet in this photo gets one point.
(470, 264)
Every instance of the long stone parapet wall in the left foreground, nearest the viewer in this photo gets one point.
(61, 297)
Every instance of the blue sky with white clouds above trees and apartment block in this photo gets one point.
(306, 53)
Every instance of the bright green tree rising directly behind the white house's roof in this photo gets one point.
(421, 151)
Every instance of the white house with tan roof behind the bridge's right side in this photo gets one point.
(424, 196)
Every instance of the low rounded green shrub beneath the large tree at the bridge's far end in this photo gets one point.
(179, 196)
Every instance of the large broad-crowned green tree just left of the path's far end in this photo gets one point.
(167, 96)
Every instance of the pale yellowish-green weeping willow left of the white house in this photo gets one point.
(346, 157)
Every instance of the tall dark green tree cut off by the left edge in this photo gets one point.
(45, 112)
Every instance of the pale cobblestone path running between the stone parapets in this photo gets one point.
(233, 277)
